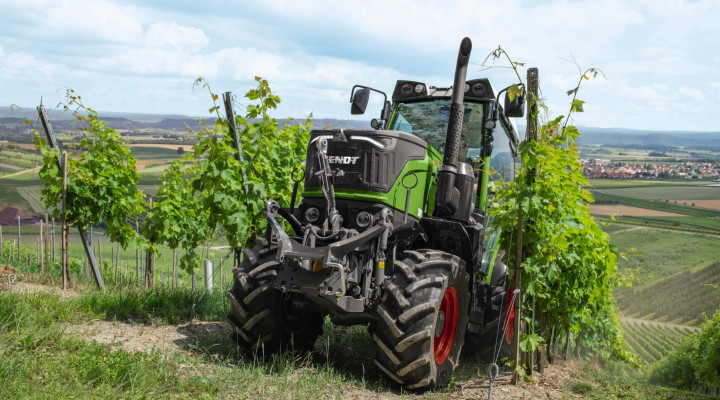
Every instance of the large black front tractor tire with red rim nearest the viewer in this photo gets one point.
(421, 322)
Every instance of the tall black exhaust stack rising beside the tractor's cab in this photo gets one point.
(447, 198)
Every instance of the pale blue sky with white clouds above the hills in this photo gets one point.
(660, 59)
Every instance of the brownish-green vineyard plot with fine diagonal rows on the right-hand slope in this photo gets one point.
(687, 297)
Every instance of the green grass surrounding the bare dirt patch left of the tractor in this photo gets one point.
(39, 360)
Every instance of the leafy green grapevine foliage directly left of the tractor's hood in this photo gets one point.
(218, 189)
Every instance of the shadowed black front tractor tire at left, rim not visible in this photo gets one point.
(265, 318)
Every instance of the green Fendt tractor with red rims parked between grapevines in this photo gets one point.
(393, 232)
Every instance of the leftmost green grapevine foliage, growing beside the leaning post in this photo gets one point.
(102, 177)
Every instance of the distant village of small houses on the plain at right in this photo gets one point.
(607, 169)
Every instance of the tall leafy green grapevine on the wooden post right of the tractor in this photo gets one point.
(569, 264)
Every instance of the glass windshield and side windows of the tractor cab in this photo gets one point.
(429, 120)
